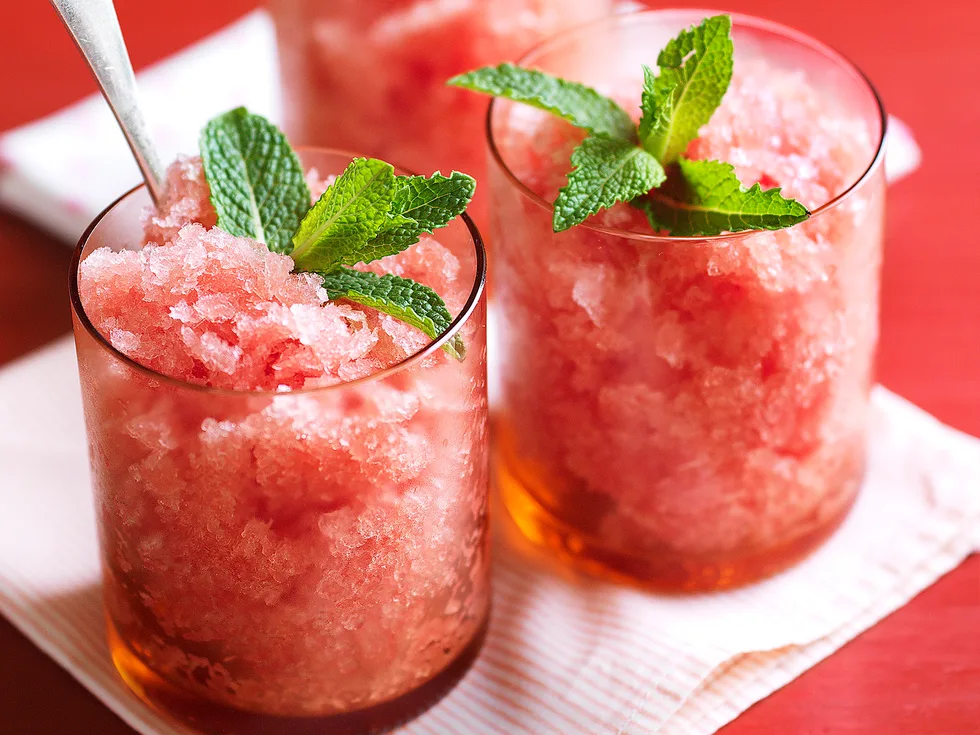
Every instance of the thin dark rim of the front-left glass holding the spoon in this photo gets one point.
(469, 307)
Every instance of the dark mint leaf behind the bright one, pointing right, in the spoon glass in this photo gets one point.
(422, 204)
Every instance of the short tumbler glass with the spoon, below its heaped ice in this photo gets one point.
(300, 562)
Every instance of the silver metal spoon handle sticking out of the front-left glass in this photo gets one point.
(94, 26)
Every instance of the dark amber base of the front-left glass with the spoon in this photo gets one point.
(211, 717)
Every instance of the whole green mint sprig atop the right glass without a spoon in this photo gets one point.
(644, 164)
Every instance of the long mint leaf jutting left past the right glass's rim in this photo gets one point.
(580, 105)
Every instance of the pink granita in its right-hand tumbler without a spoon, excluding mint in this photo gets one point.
(690, 413)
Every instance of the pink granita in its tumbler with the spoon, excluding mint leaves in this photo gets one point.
(291, 491)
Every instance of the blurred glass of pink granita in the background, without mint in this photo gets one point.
(369, 75)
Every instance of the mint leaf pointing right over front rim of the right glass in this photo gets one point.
(708, 199)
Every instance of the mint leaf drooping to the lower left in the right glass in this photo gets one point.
(605, 171)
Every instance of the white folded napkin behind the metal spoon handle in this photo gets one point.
(64, 169)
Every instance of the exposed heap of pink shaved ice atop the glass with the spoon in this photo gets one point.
(206, 307)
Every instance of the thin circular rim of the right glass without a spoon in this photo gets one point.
(742, 19)
